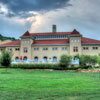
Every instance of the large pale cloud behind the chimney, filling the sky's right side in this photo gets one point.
(83, 15)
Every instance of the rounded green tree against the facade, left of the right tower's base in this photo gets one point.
(65, 60)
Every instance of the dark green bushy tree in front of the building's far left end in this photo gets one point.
(5, 59)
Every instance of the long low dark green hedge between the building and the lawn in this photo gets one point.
(45, 66)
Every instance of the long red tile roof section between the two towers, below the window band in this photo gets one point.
(51, 42)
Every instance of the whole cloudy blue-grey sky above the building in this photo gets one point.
(18, 16)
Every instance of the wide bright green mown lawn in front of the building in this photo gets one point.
(48, 85)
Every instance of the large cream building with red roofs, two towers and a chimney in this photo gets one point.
(46, 47)
